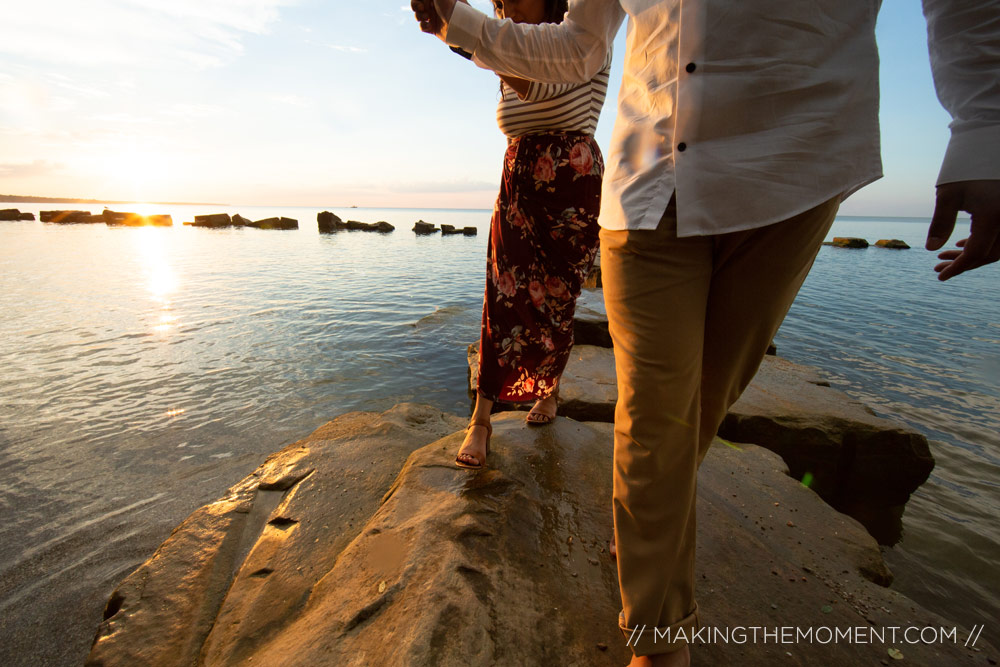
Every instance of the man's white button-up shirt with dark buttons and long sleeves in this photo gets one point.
(752, 111)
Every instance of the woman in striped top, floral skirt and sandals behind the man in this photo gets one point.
(543, 238)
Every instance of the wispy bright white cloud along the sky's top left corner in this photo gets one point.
(152, 33)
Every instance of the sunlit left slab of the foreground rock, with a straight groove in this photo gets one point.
(291, 518)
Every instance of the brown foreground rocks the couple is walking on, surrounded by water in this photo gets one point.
(364, 545)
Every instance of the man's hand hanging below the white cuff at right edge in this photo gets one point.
(982, 200)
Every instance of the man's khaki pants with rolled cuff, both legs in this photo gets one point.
(691, 320)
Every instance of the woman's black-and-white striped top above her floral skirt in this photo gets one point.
(554, 107)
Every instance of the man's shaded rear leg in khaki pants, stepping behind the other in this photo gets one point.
(757, 274)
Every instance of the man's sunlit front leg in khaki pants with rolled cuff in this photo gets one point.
(655, 288)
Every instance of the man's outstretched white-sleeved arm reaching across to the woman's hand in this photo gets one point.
(569, 52)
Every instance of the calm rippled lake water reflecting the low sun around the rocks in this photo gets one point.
(143, 371)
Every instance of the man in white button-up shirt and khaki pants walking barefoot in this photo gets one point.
(741, 127)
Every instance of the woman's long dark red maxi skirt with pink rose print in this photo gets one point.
(543, 241)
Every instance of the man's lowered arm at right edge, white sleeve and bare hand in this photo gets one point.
(964, 42)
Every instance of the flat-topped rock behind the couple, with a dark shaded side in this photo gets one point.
(850, 456)
